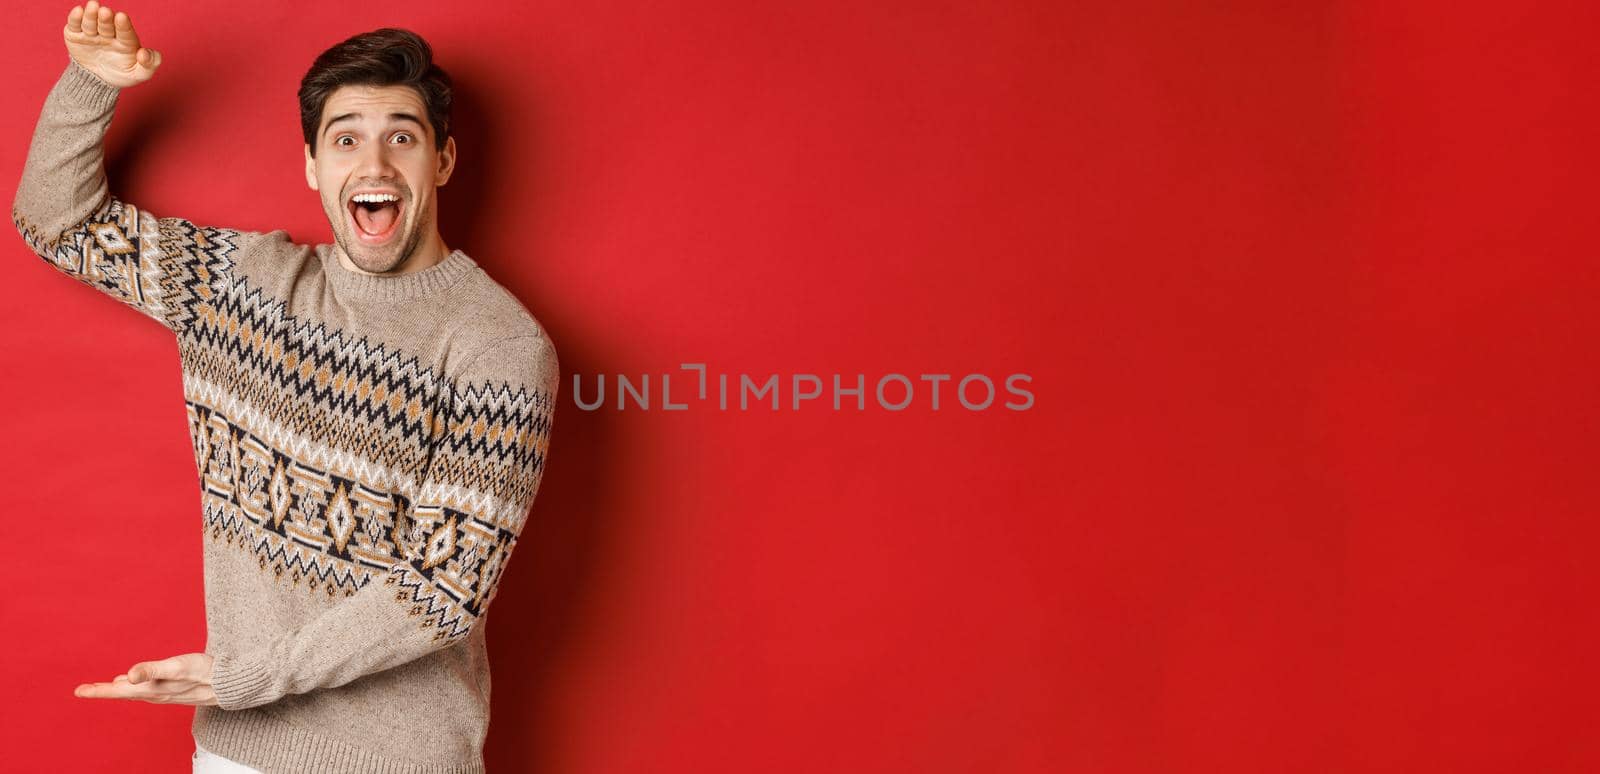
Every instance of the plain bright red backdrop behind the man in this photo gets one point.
(1306, 295)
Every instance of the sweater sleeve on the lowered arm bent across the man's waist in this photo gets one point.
(482, 476)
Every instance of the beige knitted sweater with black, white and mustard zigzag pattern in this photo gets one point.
(367, 450)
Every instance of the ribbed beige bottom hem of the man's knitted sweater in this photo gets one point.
(260, 740)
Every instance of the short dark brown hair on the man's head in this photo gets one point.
(382, 58)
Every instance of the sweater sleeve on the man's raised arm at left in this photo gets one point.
(166, 268)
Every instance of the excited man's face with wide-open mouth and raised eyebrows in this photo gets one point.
(375, 143)
